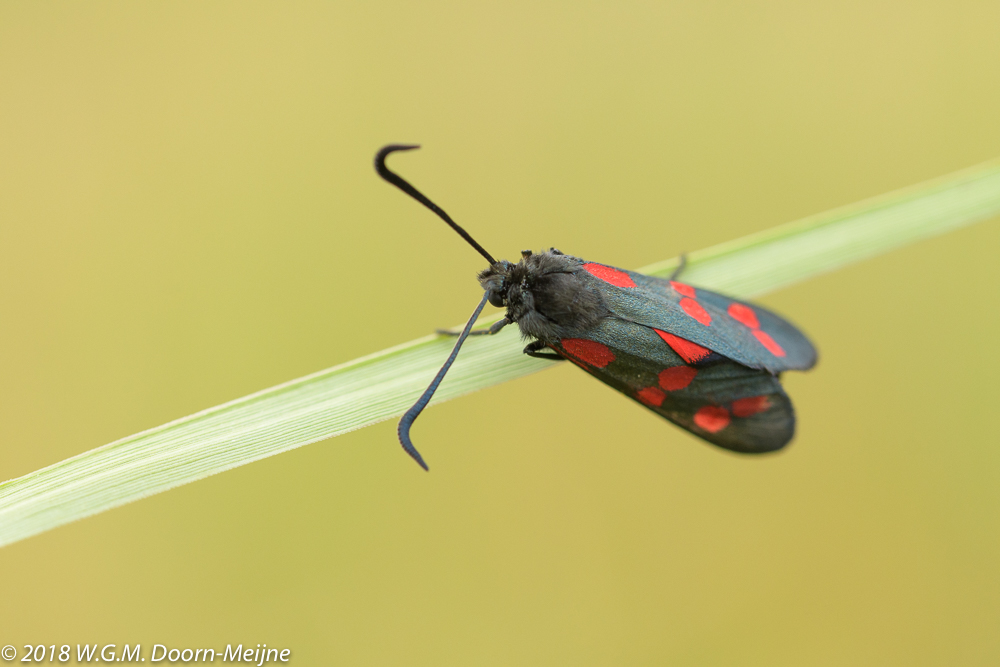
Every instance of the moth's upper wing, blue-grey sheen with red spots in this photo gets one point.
(746, 333)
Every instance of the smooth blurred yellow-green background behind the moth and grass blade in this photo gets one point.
(188, 213)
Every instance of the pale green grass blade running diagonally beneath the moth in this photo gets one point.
(383, 385)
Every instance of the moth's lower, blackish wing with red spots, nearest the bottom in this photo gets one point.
(728, 404)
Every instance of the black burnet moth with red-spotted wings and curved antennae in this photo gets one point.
(706, 362)
